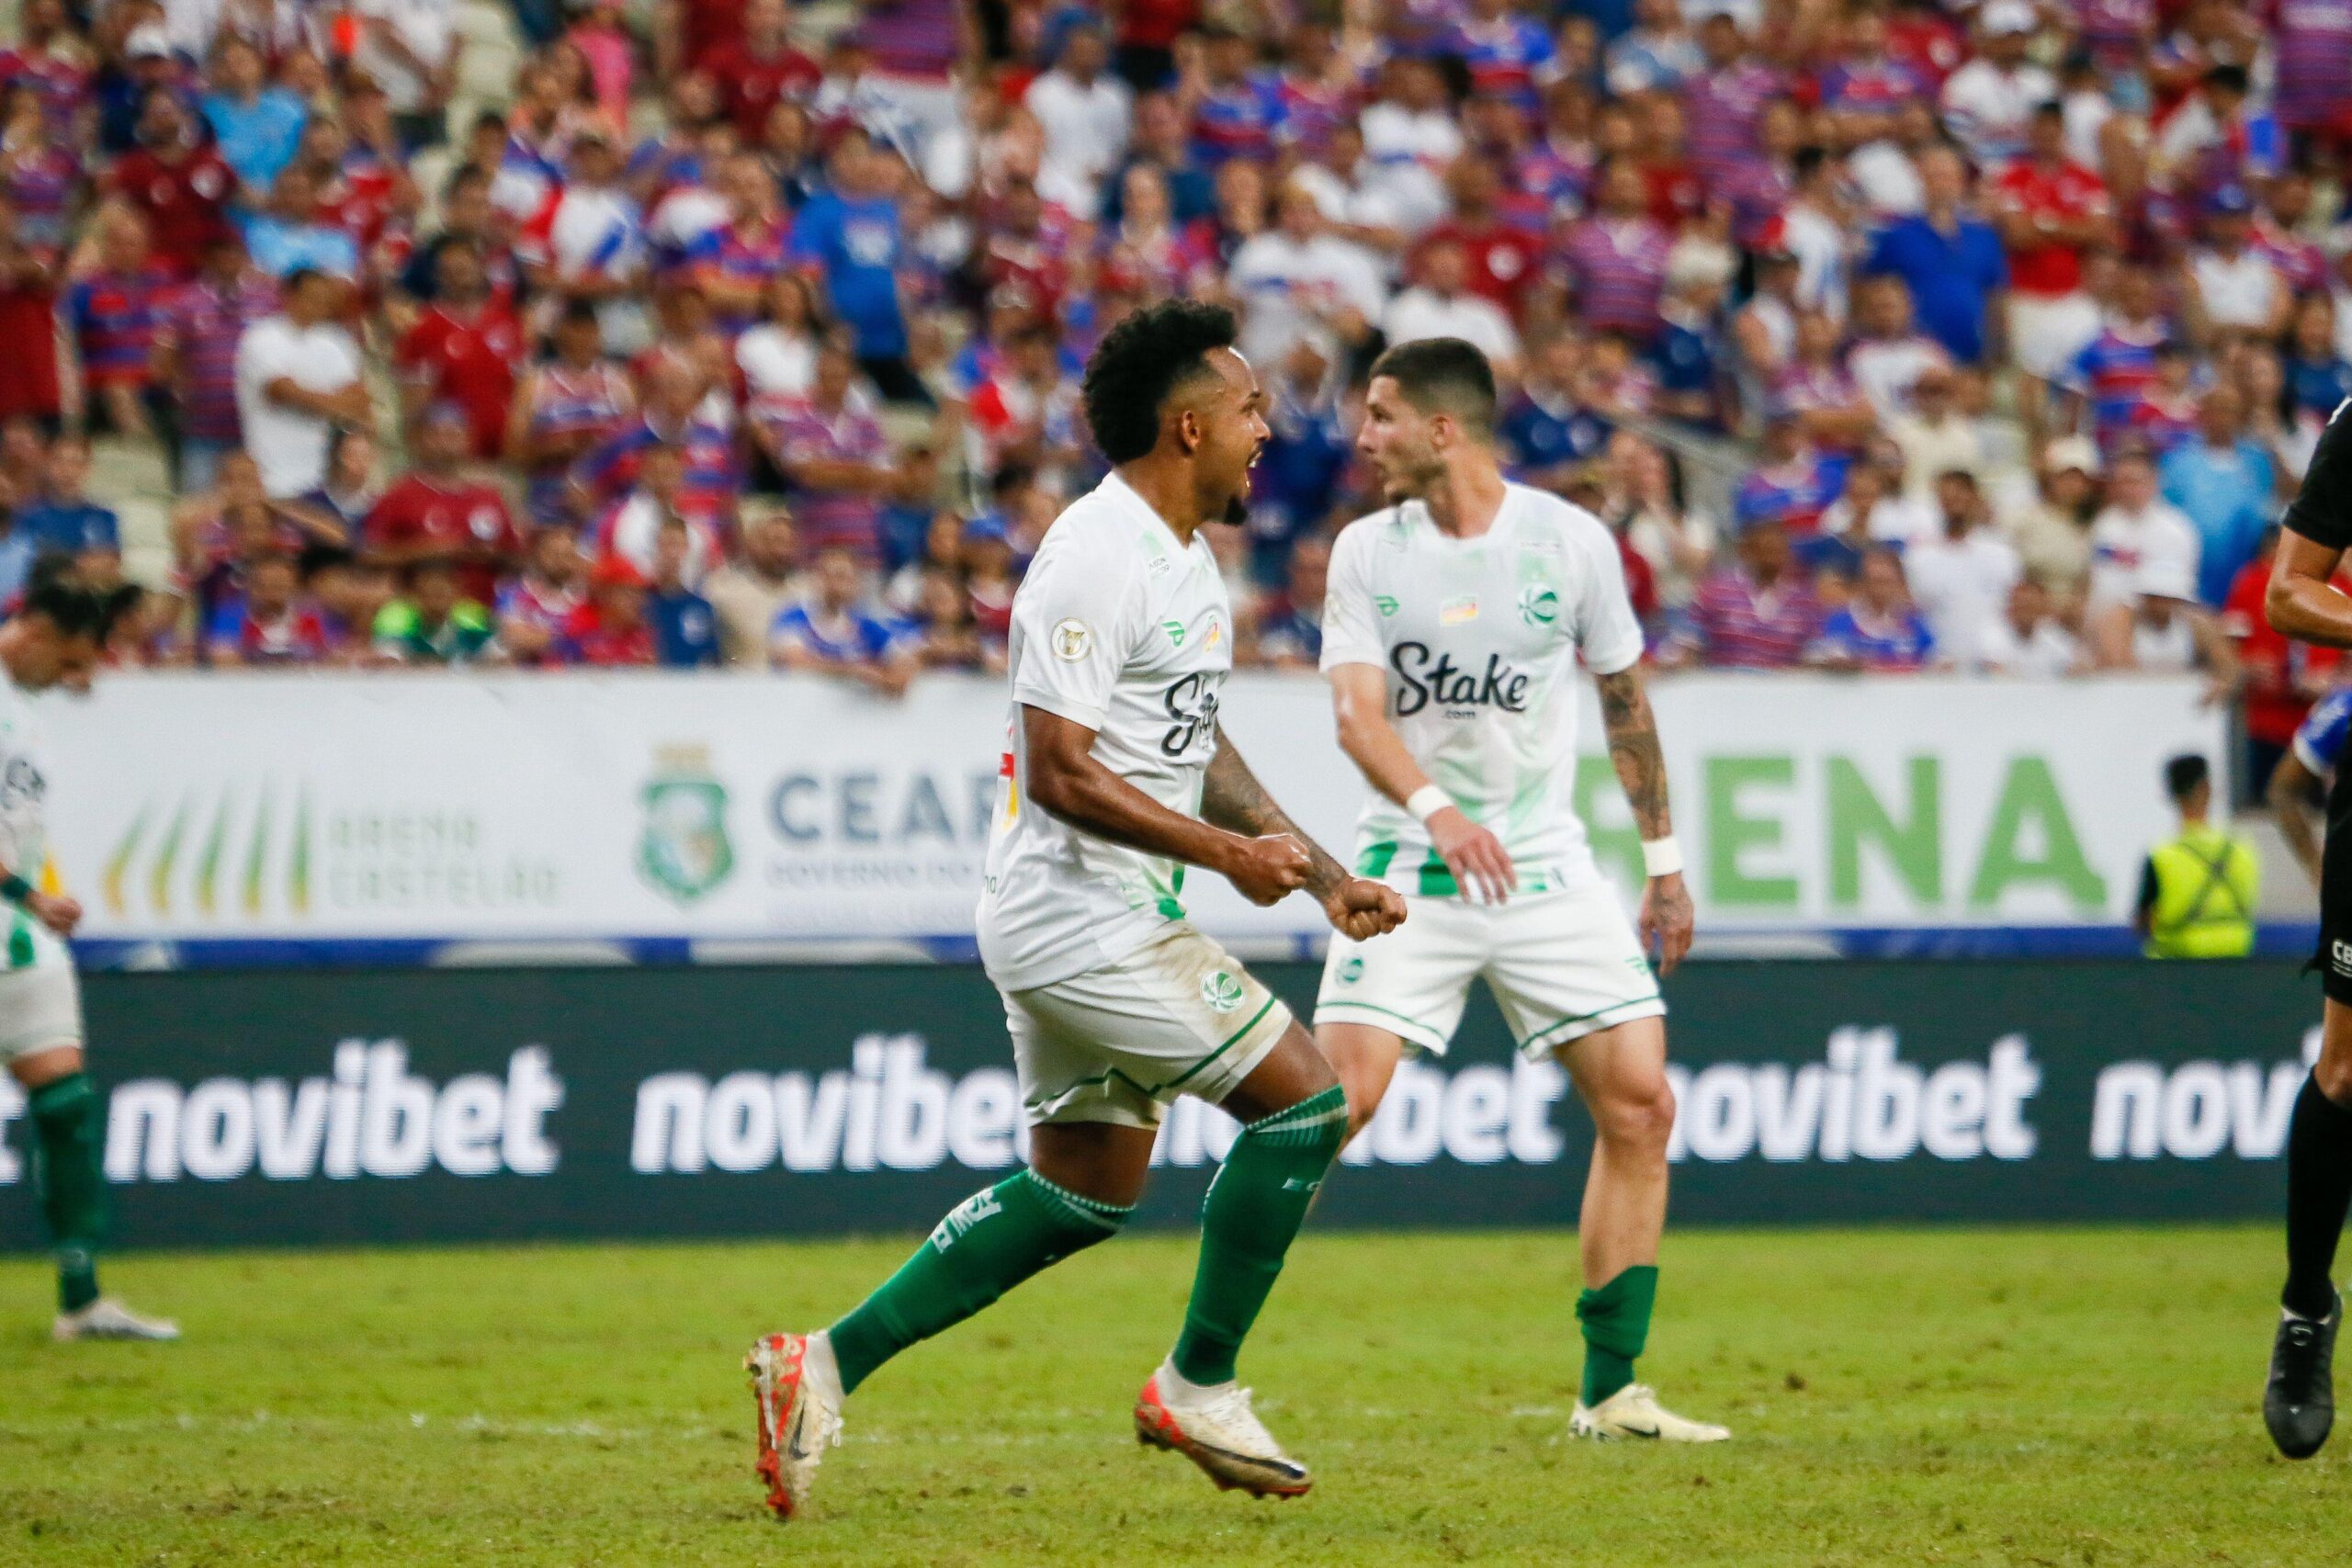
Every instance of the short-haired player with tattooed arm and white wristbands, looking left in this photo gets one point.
(1452, 629)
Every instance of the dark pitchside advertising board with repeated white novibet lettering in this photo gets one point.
(796, 1101)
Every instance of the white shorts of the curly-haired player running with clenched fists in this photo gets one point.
(1118, 1043)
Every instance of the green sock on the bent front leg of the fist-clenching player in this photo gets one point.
(1255, 1207)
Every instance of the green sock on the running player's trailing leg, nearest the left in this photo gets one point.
(984, 1247)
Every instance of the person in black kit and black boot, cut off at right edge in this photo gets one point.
(2299, 1405)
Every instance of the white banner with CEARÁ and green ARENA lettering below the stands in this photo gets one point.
(549, 808)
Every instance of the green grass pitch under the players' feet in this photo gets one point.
(1899, 1398)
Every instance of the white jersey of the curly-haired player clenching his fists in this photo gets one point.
(1121, 629)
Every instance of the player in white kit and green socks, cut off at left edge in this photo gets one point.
(53, 643)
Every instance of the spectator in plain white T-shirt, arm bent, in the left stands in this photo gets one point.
(298, 377)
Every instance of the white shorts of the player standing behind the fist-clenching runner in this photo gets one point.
(1561, 967)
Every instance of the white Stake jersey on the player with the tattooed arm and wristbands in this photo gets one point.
(1478, 641)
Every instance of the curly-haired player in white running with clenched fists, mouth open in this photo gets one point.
(1116, 779)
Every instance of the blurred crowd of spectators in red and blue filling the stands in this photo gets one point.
(744, 333)
